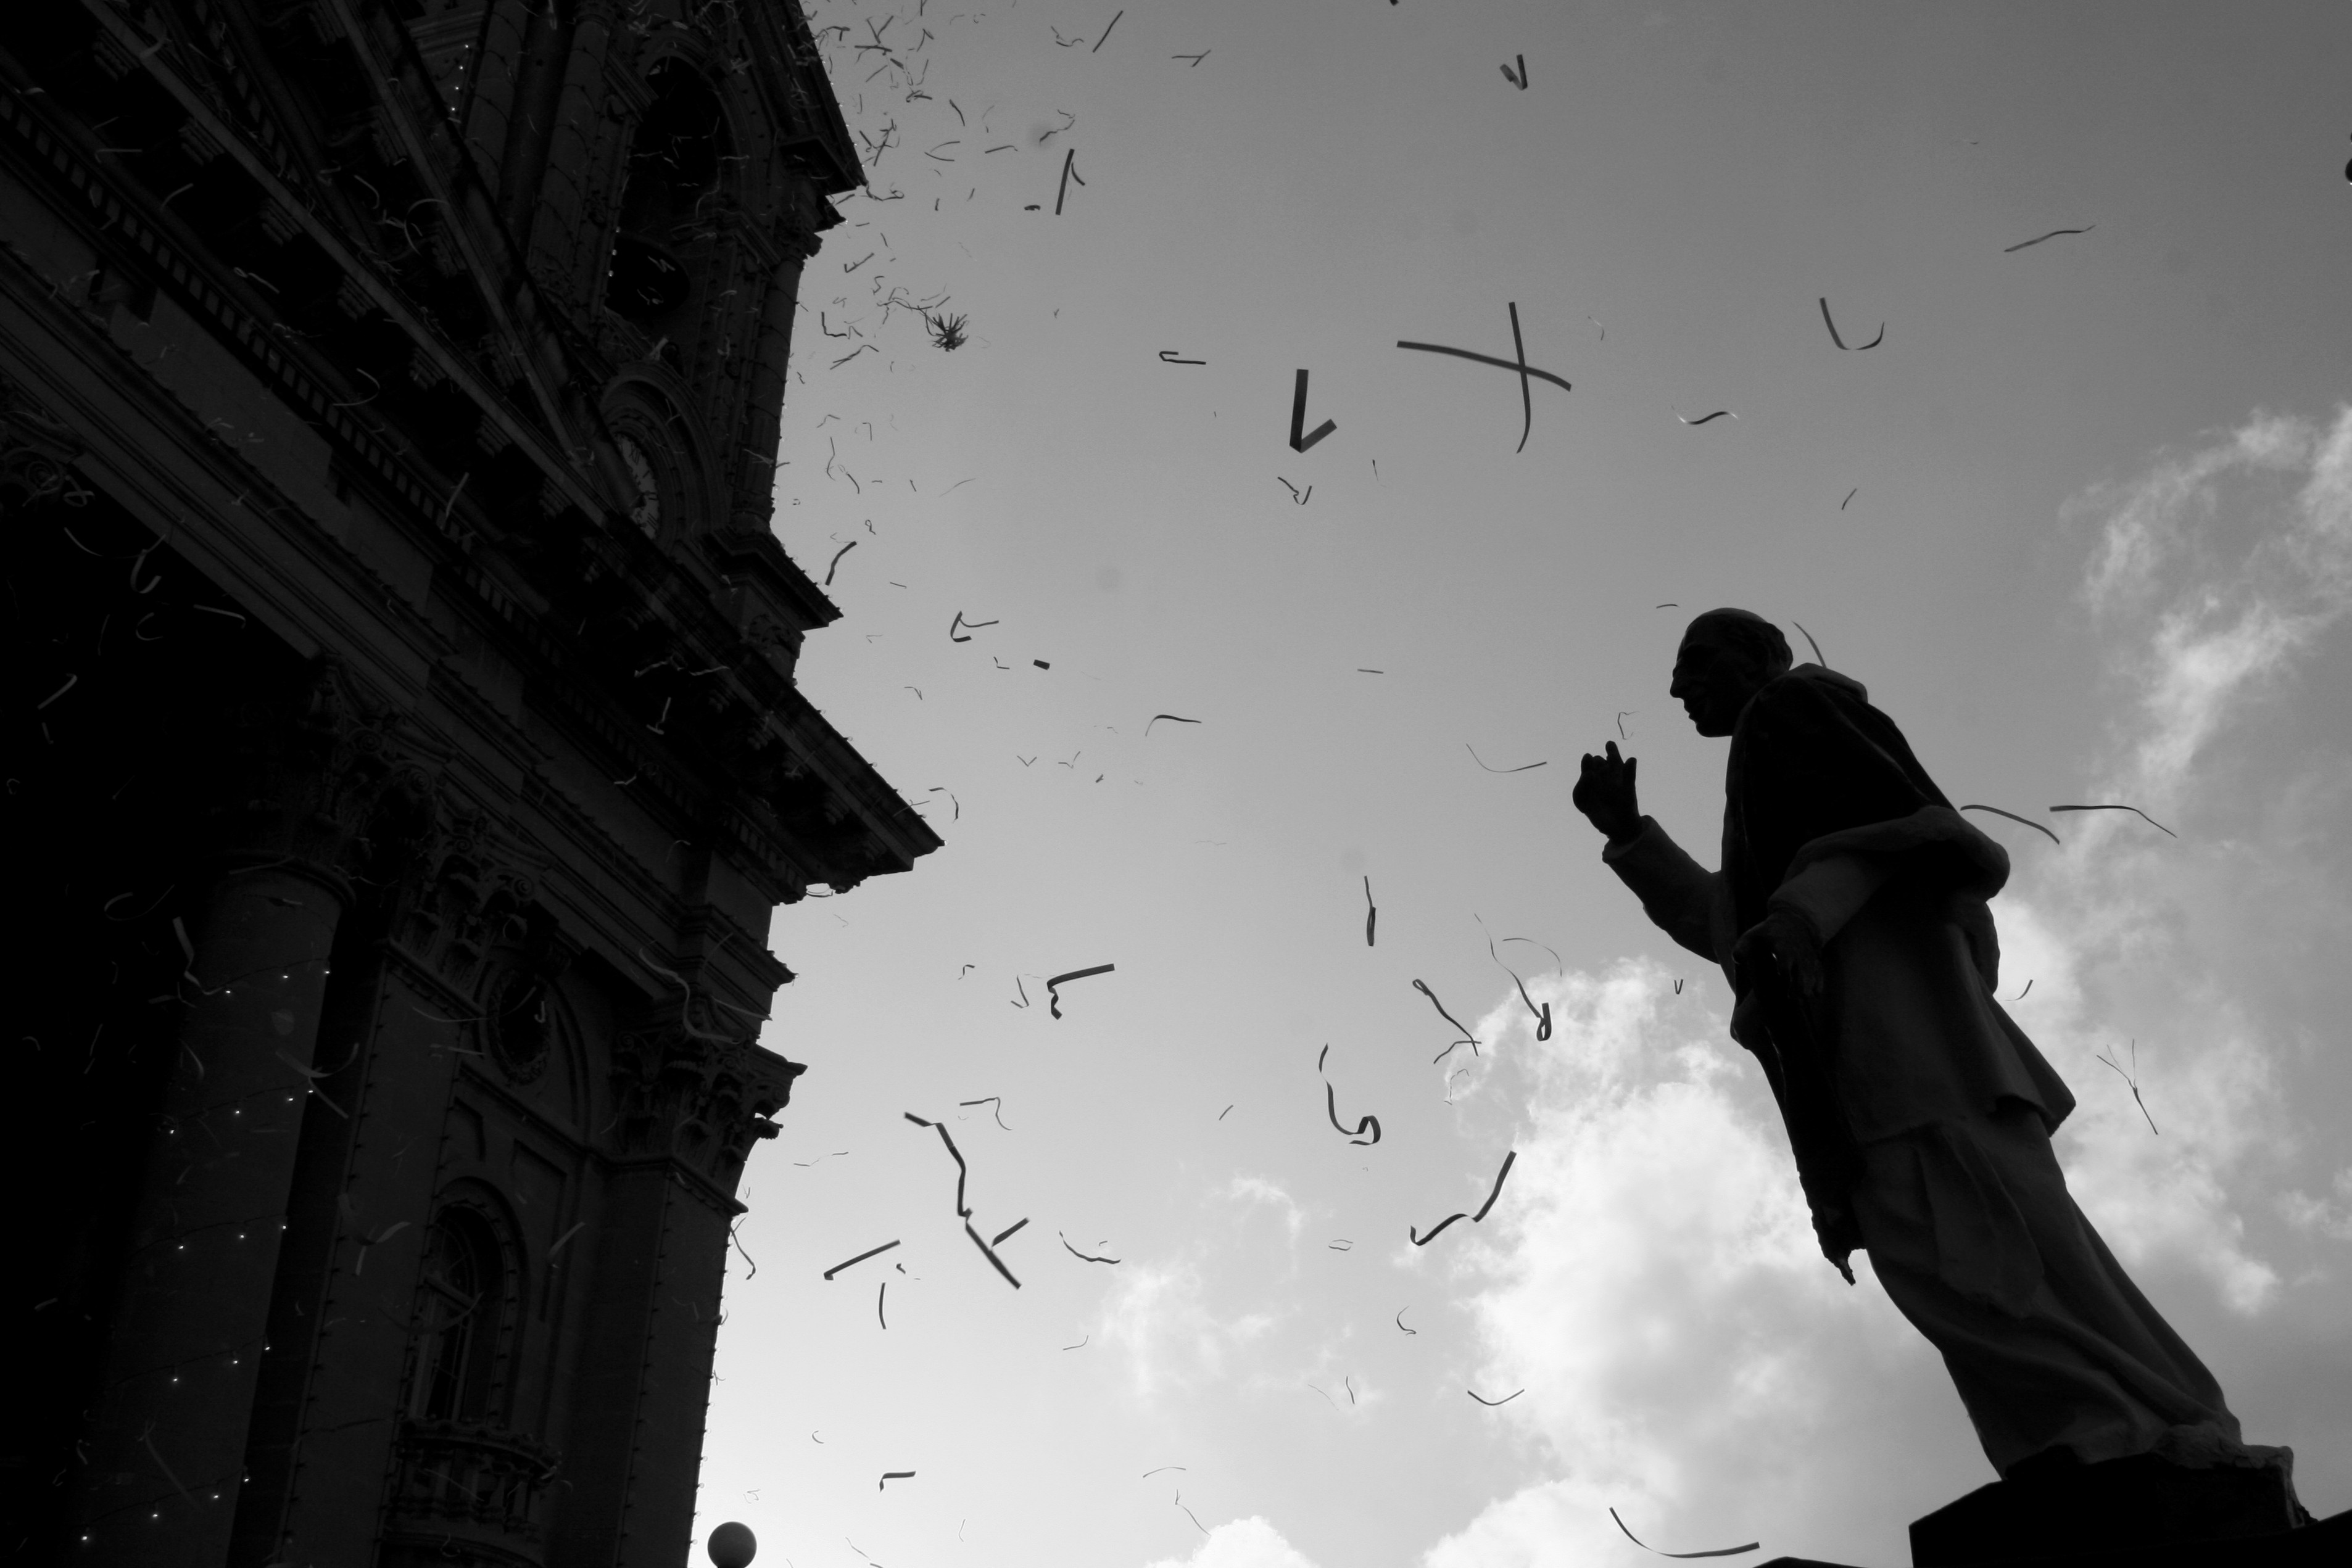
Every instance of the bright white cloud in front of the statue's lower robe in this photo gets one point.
(1655, 1287)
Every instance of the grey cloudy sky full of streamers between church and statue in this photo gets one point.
(1666, 203)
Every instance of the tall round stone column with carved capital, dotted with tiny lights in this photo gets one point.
(166, 1433)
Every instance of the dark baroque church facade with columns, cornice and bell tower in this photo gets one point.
(406, 758)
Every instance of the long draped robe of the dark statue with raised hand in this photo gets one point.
(1956, 1193)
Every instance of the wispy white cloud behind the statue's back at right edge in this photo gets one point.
(2217, 584)
